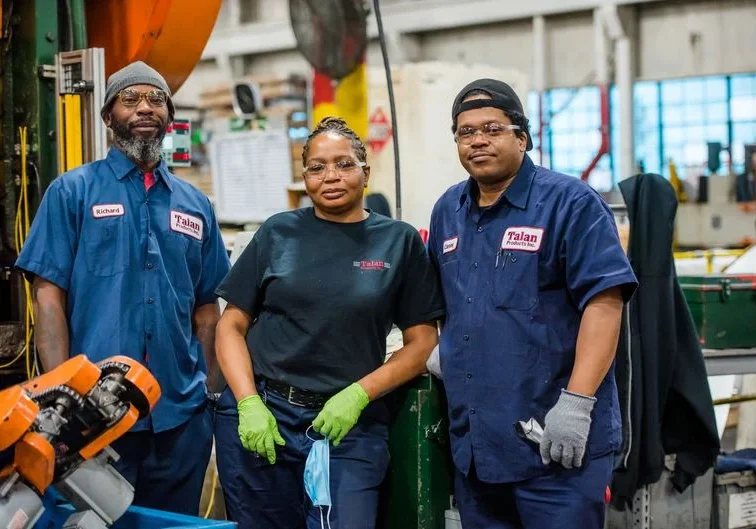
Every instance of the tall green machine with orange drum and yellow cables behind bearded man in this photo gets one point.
(55, 58)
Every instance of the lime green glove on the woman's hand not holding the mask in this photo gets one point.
(258, 430)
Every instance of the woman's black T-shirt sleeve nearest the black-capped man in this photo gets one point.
(419, 299)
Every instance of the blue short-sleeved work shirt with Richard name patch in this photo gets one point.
(135, 264)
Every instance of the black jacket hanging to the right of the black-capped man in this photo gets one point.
(660, 370)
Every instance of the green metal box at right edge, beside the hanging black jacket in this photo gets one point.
(723, 308)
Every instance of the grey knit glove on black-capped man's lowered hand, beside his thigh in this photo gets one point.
(565, 433)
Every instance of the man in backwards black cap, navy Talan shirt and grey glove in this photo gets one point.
(534, 278)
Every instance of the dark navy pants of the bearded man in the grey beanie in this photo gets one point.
(167, 469)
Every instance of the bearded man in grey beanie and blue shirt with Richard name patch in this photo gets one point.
(124, 259)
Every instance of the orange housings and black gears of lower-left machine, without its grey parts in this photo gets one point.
(58, 420)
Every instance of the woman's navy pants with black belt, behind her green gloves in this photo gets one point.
(263, 496)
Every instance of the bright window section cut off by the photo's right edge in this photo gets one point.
(743, 117)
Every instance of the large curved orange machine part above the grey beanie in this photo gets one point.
(169, 35)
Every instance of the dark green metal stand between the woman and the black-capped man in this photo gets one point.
(418, 484)
